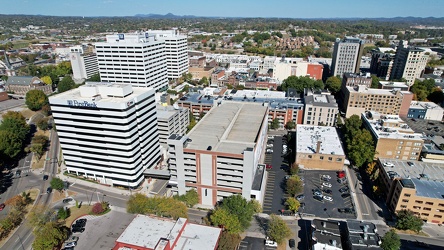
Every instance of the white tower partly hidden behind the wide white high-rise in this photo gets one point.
(176, 50)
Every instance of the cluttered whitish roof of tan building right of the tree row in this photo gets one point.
(389, 127)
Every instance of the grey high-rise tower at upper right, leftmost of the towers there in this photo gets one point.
(346, 56)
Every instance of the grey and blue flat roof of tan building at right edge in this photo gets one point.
(428, 178)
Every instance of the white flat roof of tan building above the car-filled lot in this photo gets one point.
(308, 136)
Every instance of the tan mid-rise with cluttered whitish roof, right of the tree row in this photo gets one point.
(393, 137)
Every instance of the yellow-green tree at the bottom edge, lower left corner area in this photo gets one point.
(49, 236)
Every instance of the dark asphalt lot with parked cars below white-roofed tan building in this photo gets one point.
(332, 198)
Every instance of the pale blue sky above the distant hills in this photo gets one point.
(229, 8)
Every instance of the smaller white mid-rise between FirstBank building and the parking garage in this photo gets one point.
(171, 120)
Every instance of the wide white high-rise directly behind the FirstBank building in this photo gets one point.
(137, 59)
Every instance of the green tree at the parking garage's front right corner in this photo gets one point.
(240, 207)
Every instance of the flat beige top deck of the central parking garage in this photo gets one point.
(230, 127)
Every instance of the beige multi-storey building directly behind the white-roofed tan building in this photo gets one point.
(320, 108)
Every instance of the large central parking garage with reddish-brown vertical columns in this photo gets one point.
(221, 155)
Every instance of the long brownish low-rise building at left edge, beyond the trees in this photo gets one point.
(20, 85)
